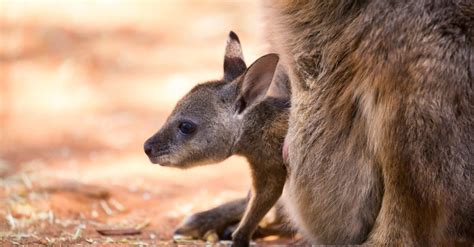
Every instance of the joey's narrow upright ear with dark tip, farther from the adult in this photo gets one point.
(234, 64)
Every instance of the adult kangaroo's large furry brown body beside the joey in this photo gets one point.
(381, 132)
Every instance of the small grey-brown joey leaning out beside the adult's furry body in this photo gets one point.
(245, 113)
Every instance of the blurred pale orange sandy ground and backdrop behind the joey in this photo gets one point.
(83, 83)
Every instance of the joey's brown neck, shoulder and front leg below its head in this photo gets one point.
(261, 144)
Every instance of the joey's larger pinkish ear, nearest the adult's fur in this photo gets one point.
(257, 80)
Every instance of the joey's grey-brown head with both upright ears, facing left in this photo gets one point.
(206, 124)
